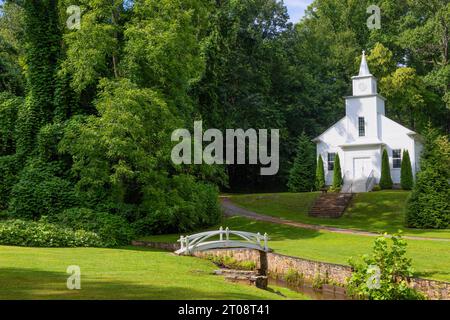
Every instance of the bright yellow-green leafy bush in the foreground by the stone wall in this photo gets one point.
(383, 274)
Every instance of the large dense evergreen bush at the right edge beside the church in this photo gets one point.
(429, 204)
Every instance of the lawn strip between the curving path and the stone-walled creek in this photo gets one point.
(431, 259)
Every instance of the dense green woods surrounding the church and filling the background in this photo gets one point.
(86, 114)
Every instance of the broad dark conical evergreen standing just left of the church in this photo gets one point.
(301, 176)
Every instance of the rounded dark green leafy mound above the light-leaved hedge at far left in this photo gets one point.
(40, 192)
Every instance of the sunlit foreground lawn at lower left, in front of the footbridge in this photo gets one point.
(128, 273)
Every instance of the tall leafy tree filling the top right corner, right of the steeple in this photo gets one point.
(425, 39)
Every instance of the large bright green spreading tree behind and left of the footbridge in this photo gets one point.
(122, 159)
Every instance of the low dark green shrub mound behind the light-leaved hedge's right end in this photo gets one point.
(113, 230)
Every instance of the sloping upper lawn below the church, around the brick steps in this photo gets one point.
(381, 211)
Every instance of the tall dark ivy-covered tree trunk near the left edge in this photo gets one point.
(43, 48)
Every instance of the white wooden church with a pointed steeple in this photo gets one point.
(361, 136)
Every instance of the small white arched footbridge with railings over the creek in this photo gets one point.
(223, 239)
